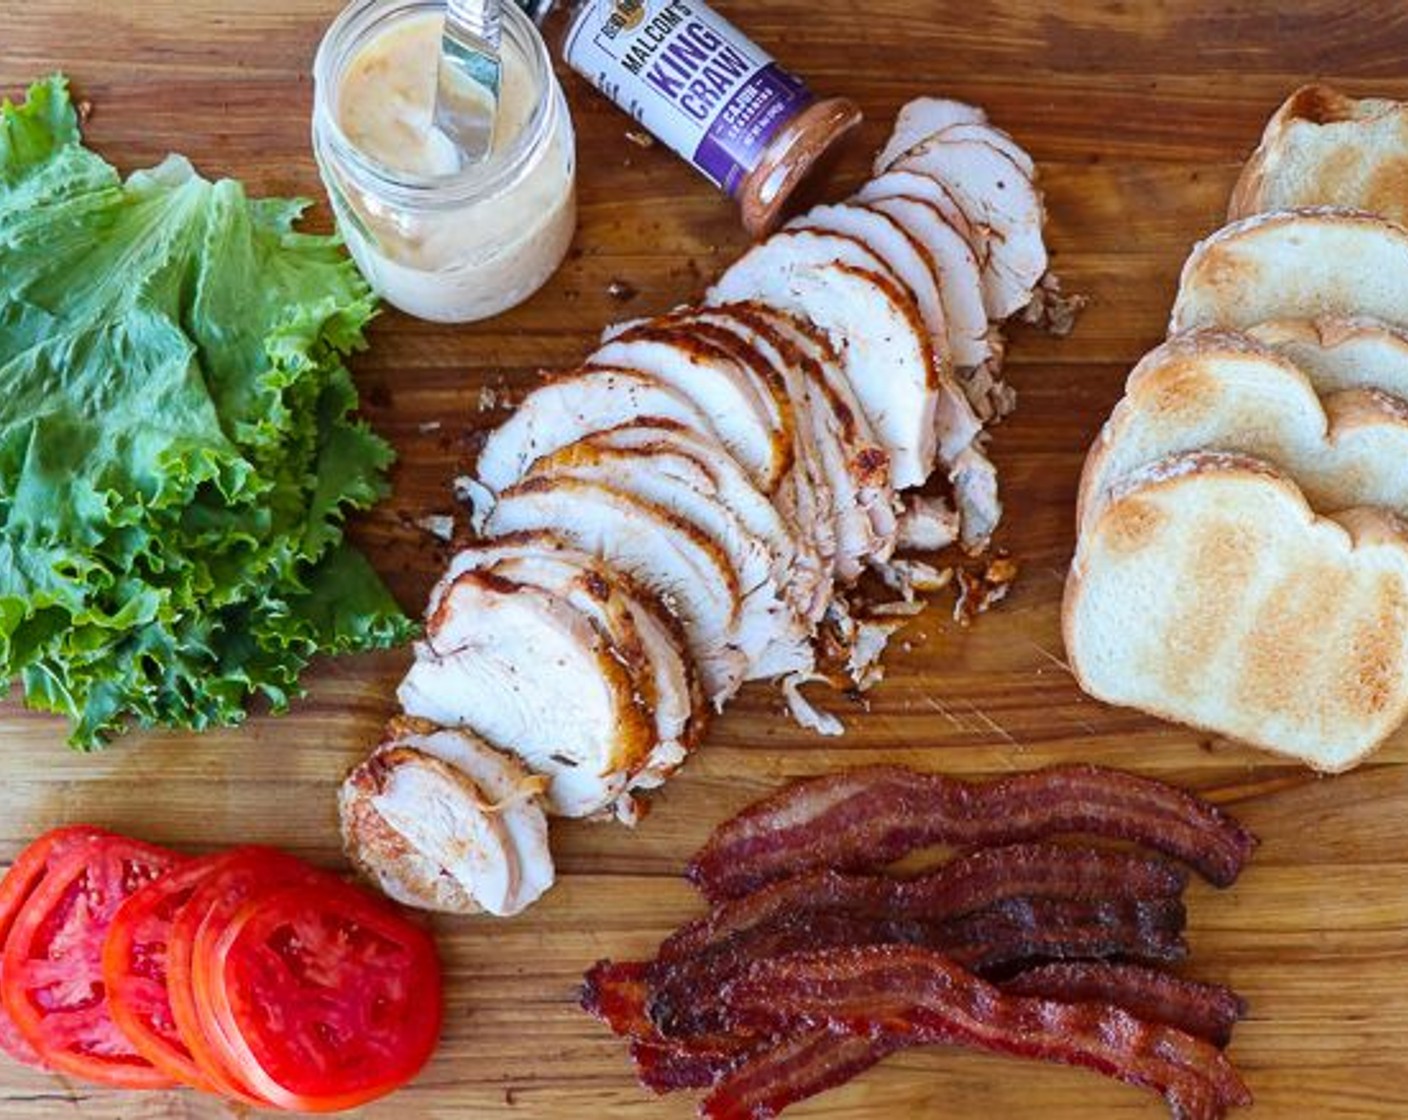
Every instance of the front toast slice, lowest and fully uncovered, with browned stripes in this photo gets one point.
(1210, 594)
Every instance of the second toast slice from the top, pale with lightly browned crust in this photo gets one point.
(1296, 264)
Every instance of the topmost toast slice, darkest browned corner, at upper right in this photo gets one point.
(1323, 149)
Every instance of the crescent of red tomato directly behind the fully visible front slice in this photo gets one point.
(246, 873)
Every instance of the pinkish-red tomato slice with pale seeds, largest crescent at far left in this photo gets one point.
(54, 962)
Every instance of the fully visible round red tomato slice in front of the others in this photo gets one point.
(329, 998)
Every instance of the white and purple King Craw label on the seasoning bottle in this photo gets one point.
(691, 78)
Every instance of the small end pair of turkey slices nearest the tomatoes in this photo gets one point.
(444, 822)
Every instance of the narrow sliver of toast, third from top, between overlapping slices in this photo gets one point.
(1341, 351)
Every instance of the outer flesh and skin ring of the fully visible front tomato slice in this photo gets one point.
(261, 918)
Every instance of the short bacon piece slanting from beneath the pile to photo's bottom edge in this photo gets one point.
(795, 1070)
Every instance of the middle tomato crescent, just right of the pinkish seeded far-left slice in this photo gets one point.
(134, 970)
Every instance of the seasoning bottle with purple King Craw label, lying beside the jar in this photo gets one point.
(713, 97)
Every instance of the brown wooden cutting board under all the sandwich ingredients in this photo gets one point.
(1138, 115)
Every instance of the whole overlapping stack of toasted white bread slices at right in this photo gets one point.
(1243, 554)
